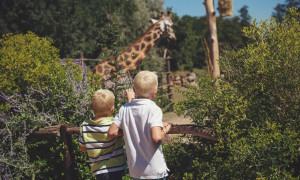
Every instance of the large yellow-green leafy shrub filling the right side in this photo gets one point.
(254, 110)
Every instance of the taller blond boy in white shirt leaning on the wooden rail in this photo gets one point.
(143, 129)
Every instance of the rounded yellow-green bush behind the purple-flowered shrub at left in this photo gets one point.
(27, 60)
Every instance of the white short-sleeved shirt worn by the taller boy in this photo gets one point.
(145, 158)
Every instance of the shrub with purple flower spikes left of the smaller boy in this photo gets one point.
(68, 104)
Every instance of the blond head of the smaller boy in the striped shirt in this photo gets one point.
(102, 102)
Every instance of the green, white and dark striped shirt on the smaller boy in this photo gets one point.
(105, 153)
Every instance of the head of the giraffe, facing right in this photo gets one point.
(166, 24)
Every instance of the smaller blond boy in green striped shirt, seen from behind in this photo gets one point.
(105, 153)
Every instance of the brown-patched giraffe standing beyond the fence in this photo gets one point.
(136, 52)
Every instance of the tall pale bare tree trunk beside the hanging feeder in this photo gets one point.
(213, 37)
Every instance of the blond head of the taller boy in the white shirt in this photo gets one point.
(145, 83)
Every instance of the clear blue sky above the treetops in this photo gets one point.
(259, 9)
